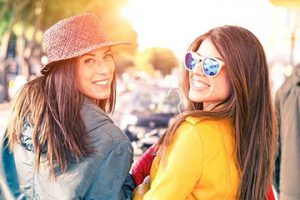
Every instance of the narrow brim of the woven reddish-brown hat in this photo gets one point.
(82, 52)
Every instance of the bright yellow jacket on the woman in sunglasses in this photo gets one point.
(200, 163)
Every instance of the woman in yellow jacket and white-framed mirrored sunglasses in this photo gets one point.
(223, 146)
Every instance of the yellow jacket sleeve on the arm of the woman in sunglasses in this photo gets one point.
(183, 166)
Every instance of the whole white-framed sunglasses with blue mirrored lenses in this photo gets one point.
(211, 66)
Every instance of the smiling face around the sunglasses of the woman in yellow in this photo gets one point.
(210, 91)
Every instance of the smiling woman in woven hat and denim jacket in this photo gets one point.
(63, 143)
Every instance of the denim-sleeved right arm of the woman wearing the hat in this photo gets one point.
(113, 181)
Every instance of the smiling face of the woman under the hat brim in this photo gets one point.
(95, 71)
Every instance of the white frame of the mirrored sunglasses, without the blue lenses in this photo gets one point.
(201, 59)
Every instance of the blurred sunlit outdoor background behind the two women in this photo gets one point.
(147, 71)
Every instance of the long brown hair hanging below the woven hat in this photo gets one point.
(51, 104)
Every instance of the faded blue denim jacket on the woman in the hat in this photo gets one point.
(102, 175)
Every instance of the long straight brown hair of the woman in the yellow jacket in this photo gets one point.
(250, 107)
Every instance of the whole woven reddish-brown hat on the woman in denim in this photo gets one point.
(73, 37)
